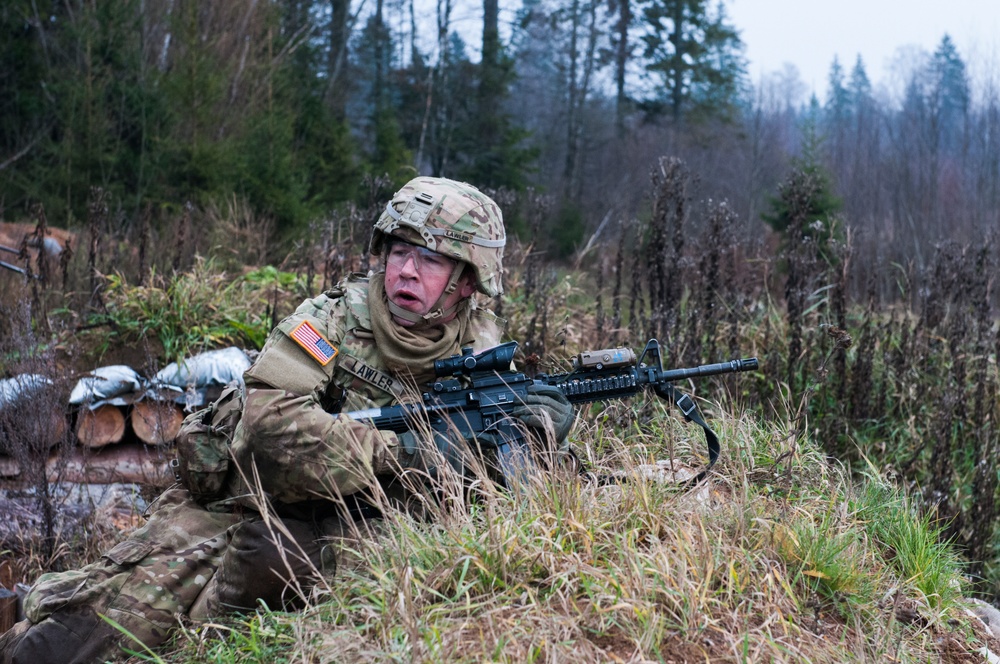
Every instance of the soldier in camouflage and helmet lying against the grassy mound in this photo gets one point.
(367, 343)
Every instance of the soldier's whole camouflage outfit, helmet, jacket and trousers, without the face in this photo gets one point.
(197, 560)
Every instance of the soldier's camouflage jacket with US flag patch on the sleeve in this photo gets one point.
(290, 431)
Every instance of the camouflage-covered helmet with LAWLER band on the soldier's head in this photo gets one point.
(452, 218)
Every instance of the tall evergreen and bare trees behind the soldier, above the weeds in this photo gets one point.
(289, 105)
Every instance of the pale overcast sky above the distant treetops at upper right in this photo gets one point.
(808, 33)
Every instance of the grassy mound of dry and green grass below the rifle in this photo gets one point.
(780, 558)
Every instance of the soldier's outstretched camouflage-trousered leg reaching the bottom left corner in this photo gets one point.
(140, 584)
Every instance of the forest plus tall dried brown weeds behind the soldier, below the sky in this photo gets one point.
(623, 137)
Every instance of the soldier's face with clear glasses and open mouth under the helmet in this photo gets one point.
(415, 277)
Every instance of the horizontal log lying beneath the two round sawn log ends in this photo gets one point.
(132, 463)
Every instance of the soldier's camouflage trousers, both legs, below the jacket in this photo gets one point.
(184, 560)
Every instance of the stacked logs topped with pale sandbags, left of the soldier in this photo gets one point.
(120, 425)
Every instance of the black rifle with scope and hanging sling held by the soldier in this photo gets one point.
(474, 395)
